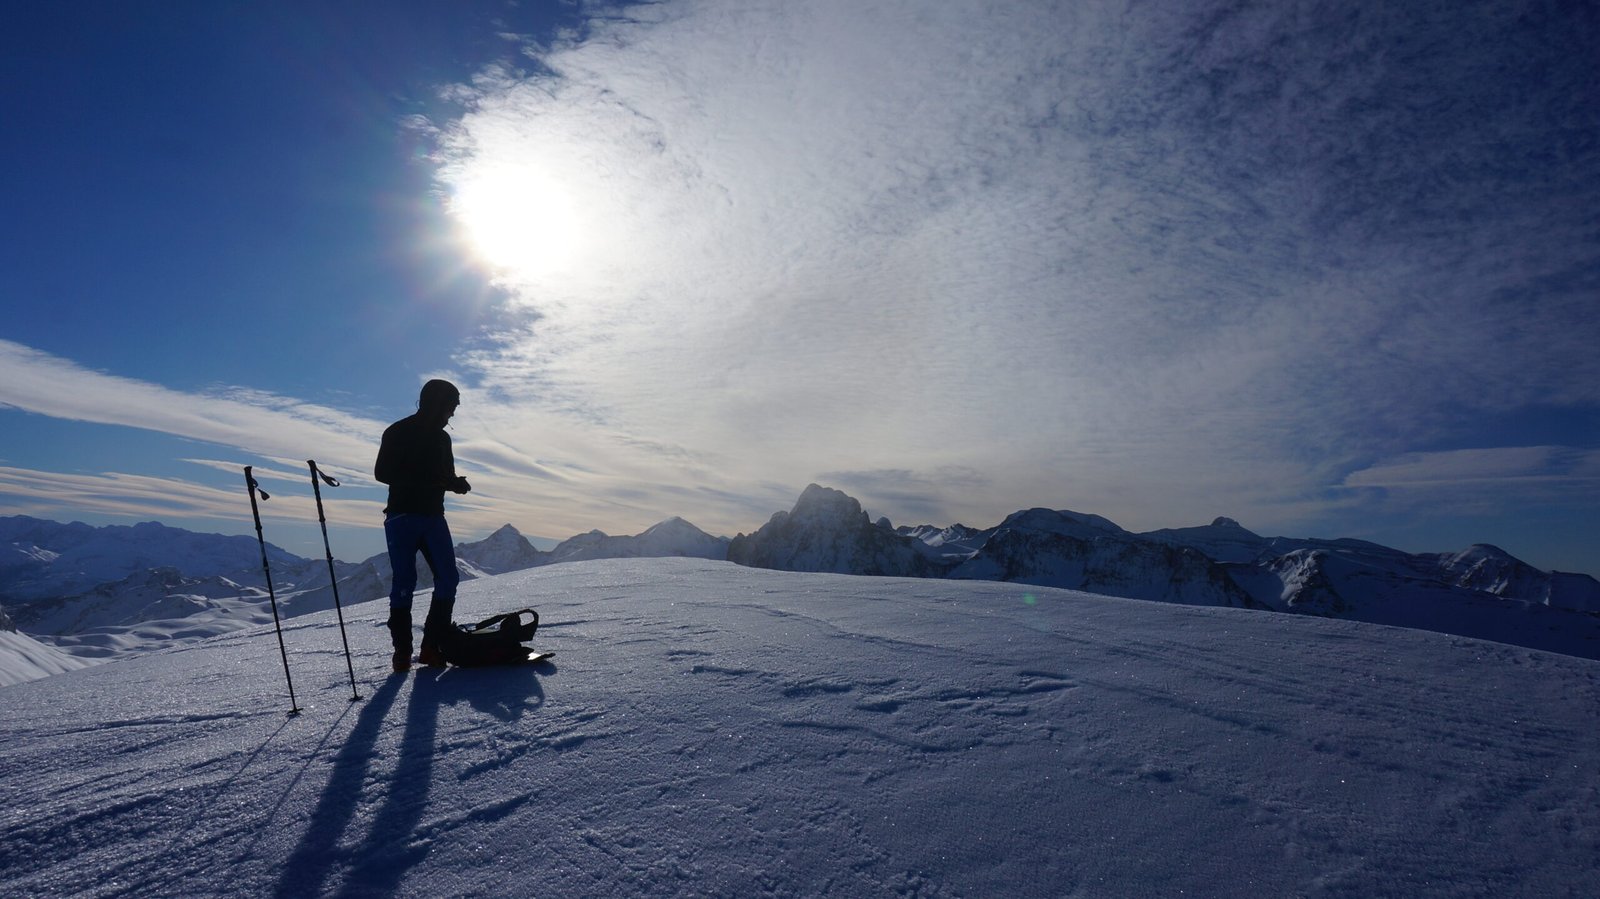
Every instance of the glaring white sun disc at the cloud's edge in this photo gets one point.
(518, 220)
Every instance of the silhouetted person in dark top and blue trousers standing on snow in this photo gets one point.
(418, 465)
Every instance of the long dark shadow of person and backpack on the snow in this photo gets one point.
(382, 861)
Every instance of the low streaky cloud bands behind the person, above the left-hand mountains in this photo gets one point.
(545, 473)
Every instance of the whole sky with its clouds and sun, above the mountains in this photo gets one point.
(1327, 271)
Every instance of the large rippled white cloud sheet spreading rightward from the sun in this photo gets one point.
(1158, 263)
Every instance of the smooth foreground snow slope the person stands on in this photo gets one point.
(711, 730)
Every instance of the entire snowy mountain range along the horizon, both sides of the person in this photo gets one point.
(71, 594)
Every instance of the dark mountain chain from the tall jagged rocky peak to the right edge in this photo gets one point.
(1481, 593)
